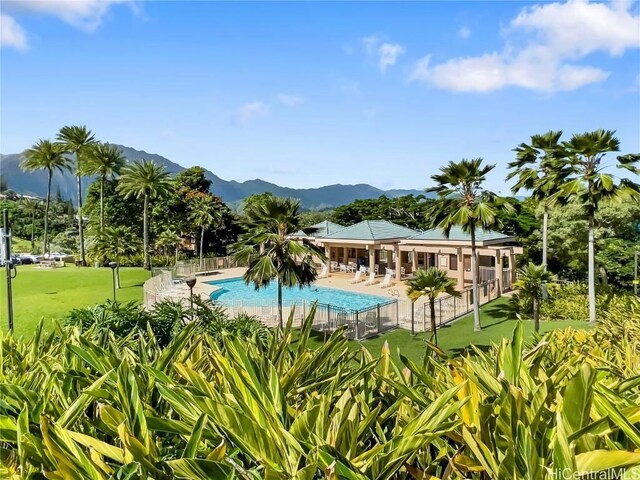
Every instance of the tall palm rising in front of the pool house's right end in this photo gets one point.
(463, 202)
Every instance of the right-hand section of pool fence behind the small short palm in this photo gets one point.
(447, 308)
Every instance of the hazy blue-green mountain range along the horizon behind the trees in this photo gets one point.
(232, 192)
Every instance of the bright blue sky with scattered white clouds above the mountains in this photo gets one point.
(307, 94)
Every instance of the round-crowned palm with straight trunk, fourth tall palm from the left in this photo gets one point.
(147, 180)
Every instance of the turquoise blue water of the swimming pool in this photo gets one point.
(234, 290)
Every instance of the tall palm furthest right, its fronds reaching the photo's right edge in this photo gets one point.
(589, 186)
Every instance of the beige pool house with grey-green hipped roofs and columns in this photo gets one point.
(383, 245)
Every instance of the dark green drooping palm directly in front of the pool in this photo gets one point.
(269, 250)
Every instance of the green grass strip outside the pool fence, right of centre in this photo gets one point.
(455, 337)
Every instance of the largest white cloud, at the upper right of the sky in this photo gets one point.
(552, 37)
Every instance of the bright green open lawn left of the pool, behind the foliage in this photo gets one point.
(51, 293)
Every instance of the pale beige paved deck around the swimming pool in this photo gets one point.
(336, 280)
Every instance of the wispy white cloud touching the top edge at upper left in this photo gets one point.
(86, 15)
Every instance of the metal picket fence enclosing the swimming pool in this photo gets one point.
(360, 324)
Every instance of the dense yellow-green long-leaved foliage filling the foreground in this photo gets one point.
(93, 405)
